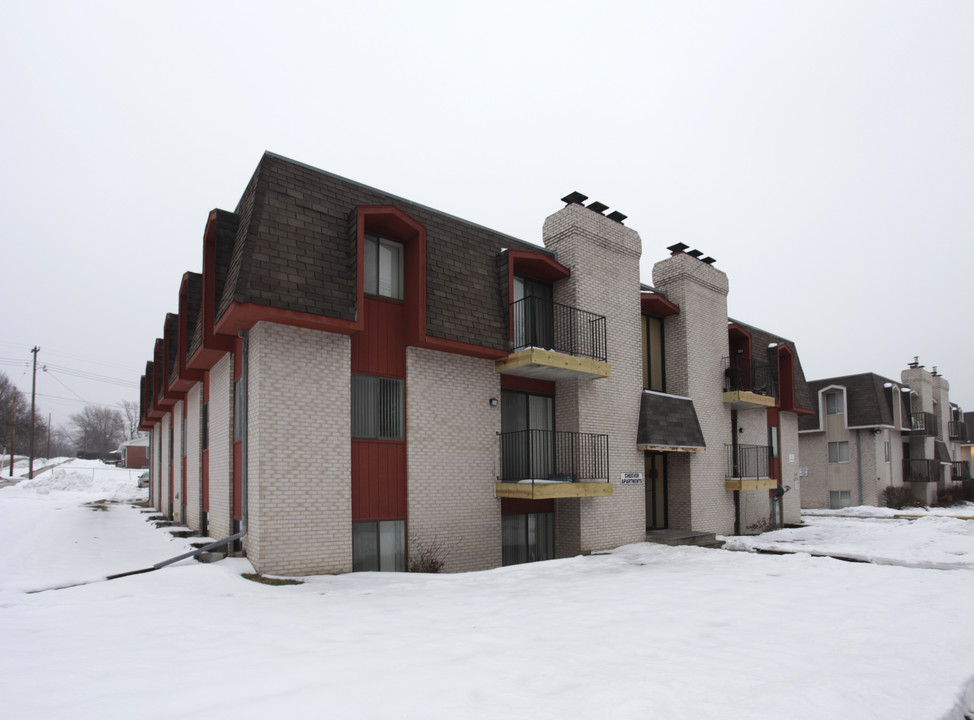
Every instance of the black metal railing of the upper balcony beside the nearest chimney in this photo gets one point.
(552, 326)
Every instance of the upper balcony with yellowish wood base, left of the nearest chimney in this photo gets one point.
(555, 342)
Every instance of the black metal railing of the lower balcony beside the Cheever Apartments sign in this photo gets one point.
(550, 455)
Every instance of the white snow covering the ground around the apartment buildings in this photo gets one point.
(643, 632)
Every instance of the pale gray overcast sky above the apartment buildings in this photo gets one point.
(821, 151)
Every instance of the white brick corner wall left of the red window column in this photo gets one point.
(300, 504)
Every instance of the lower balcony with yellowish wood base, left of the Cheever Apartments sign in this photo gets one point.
(540, 464)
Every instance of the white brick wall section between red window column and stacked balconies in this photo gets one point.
(453, 458)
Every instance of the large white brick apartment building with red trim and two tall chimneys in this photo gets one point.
(354, 377)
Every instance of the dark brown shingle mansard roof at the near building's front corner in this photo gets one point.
(295, 249)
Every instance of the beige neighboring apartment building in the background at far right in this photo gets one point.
(869, 433)
